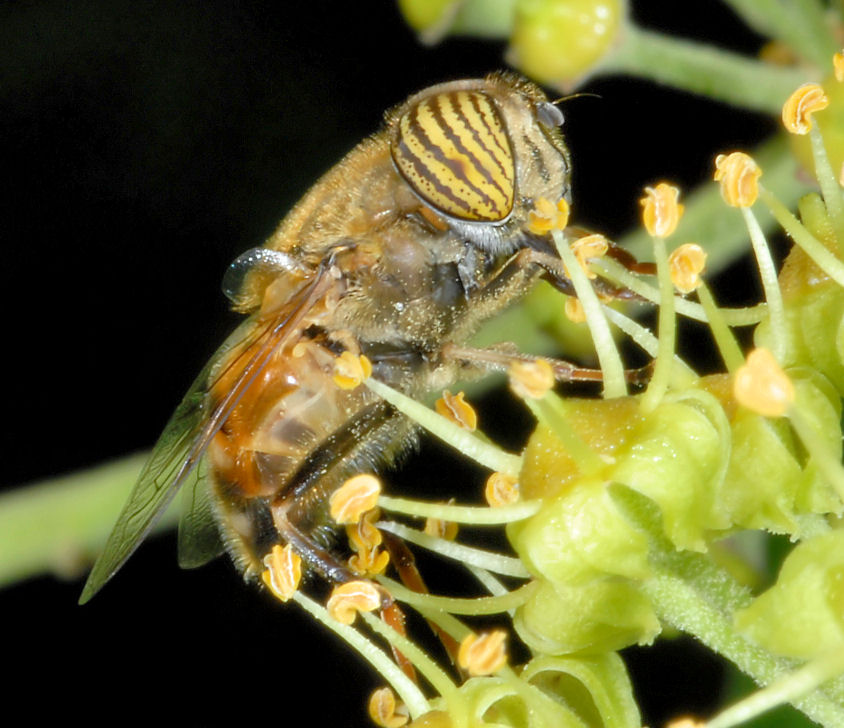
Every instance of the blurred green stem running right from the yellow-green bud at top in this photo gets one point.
(703, 69)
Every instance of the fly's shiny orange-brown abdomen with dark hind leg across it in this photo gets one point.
(294, 437)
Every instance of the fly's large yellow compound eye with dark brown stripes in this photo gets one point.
(453, 150)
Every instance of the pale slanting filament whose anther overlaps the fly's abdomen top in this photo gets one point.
(468, 444)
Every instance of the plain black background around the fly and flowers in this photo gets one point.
(145, 145)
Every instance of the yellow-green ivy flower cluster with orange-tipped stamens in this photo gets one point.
(616, 508)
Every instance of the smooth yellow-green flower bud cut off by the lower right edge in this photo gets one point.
(802, 615)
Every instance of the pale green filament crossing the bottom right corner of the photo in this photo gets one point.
(787, 689)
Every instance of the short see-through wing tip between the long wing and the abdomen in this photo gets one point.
(199, 536)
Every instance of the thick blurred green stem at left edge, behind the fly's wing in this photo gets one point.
(74, 515)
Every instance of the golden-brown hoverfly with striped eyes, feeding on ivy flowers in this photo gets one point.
(399, 253)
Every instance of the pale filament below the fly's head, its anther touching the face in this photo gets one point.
(611, 365)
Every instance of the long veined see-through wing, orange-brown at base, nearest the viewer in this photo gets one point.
(192, 427)
